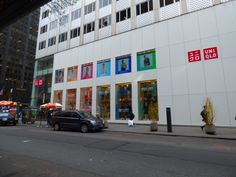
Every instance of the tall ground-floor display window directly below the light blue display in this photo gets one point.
(103, 101)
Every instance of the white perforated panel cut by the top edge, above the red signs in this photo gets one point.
(193, 5)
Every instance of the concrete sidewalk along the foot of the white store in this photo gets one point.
(182, 131)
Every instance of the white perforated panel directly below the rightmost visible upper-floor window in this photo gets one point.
(170, 11)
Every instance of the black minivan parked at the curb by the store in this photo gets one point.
(81, 120)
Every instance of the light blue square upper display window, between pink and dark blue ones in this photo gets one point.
(104, 68)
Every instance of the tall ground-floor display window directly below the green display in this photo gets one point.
(147, 103)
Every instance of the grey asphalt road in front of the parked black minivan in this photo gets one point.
(27, 151)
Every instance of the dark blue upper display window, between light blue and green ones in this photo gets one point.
(123, 64)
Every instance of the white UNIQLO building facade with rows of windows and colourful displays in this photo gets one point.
(109, 56)
